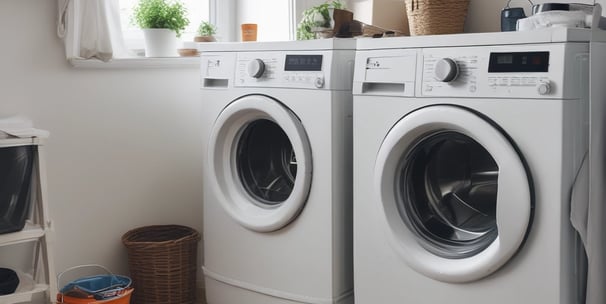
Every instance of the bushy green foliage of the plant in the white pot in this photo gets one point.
(169, 14)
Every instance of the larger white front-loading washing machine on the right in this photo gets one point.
(466, 152)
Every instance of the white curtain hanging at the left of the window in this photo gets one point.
(91, 29)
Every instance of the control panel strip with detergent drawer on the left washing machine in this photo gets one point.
(291, 69)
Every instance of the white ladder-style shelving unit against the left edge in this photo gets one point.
(38, 229)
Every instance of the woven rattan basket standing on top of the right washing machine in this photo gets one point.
(435, 17)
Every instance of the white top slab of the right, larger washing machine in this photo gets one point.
(547, 35)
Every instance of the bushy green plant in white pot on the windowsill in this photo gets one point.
(162, 21)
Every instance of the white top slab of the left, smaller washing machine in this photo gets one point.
(311, 45)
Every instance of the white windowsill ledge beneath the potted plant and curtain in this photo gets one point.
(138, 63)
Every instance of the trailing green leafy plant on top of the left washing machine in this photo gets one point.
(316, 17)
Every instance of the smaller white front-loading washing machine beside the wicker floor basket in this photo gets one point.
(277, 174)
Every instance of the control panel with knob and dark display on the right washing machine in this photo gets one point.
(529, 71)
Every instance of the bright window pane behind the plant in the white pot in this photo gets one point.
(198, 10)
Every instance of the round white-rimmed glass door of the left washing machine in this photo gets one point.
(260, 158)
